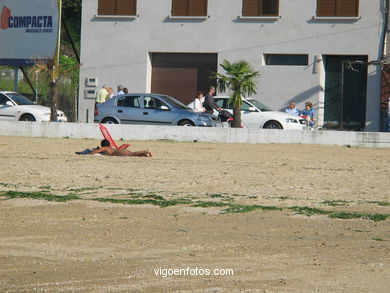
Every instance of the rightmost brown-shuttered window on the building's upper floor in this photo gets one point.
(338, 8)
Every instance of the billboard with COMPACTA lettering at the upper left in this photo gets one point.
(29, 30)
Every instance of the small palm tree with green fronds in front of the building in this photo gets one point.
(239, 80)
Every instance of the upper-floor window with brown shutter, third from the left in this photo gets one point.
(260, 8)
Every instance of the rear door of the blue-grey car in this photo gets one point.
(128, 109)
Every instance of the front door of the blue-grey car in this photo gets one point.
(156, 111)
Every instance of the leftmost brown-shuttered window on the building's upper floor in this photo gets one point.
(117, 7)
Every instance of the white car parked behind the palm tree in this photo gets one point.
(257, 115)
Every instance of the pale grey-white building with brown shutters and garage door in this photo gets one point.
(299, 47)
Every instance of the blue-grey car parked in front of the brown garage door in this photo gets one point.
(137, 108)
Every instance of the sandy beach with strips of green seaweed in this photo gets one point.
(196, 217)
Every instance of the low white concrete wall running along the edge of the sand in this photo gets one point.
(177, 133)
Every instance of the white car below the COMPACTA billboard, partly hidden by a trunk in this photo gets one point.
(15, 107)
